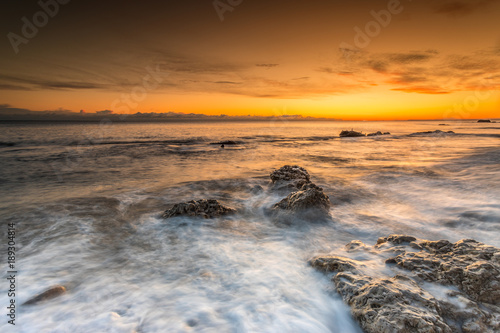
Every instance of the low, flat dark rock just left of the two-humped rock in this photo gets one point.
(205, 208)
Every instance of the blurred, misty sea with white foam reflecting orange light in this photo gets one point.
(86, 200)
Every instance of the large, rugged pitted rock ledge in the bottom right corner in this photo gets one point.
(403, 303)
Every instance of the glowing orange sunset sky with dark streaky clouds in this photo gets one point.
(351, 60)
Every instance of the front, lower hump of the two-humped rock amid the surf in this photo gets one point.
(309, 196)
